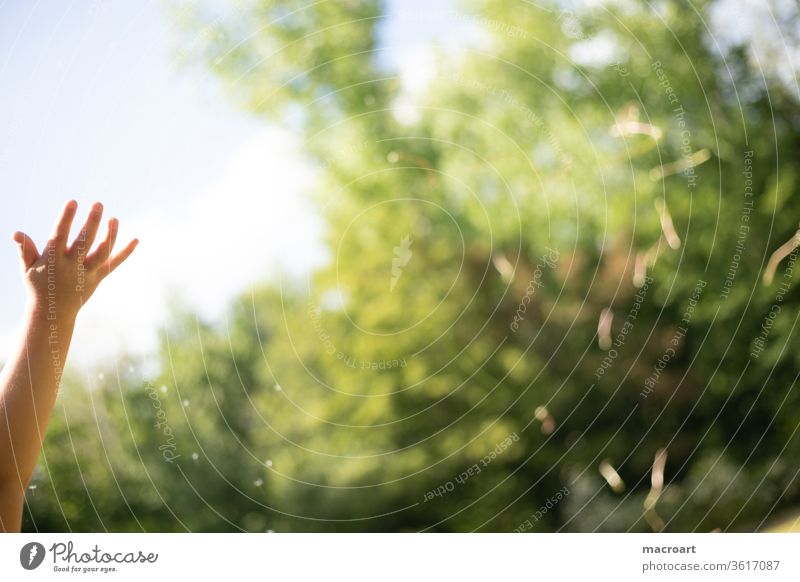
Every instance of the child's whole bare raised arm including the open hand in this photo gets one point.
(59, 281)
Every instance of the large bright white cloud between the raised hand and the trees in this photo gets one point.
(251, 224)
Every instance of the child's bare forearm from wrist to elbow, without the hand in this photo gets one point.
(28, 386)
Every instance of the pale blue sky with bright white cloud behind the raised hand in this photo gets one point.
(92, 106)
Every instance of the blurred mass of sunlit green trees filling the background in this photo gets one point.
(579, 162)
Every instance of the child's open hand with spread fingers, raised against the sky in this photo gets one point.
(62, 278)
